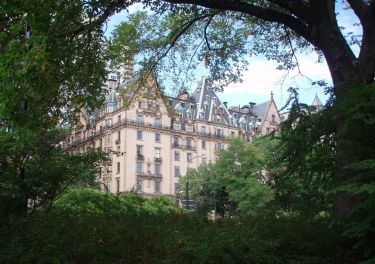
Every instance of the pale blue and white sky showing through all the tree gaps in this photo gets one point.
(262, 77)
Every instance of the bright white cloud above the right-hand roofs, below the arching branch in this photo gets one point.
(263, 77)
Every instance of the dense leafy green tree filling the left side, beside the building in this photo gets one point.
(52, 63)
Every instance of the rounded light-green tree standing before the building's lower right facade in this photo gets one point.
(236, 184)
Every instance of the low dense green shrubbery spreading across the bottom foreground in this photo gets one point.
(86, 226)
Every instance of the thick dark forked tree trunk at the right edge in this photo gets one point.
(347, 72)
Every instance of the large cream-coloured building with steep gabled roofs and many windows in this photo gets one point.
(153, 139)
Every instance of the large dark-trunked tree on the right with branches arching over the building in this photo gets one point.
(225, 32)
